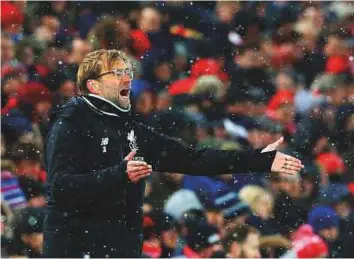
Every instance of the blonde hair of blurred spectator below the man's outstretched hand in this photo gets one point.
(252, 193)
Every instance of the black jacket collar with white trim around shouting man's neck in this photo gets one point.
(103, 106)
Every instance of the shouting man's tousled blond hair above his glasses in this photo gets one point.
(94, 63)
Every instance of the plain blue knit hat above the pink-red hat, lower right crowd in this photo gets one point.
(323, 217)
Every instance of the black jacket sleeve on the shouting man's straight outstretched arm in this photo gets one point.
(170, 155)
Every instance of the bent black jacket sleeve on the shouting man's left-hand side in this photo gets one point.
(67, 178)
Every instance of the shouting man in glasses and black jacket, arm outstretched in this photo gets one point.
(97, 157)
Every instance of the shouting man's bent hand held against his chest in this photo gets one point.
(136, 170)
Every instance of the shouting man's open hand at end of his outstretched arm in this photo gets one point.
(283, 163)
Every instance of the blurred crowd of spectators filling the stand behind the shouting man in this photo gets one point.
(224, 75)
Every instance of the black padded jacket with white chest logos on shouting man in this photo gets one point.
(88, 188)
